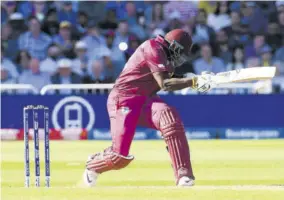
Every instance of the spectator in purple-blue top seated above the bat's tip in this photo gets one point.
(252, 50)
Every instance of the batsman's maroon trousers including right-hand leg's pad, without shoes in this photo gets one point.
(126, 112)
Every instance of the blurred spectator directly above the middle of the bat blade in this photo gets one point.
(237, 60)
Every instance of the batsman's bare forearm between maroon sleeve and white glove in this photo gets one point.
(171, 84)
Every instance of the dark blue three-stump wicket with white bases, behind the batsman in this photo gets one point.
(35, 111)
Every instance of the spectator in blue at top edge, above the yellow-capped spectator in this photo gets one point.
(67, 13)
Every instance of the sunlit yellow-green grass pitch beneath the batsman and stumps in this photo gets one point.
(224, 170)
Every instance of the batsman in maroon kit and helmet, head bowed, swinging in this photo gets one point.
(133, 101)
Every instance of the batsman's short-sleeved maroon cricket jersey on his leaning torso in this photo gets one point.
(136, 77)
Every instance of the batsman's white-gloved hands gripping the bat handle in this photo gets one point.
(203, 83)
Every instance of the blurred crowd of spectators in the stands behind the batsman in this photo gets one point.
(64, 42)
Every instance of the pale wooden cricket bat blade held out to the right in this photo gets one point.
(244, 75)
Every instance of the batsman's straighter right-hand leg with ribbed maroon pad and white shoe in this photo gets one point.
(157, 114)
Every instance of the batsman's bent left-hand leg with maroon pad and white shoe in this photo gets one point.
(124, 116)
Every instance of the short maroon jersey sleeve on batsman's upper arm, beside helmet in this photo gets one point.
(157, 60)
